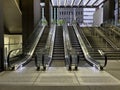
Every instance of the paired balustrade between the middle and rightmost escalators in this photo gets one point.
(70, 53)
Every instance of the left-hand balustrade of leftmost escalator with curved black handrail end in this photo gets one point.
(28, 48)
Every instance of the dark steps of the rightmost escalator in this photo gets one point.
(75, 44)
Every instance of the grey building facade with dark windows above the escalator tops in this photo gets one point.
(70, 14)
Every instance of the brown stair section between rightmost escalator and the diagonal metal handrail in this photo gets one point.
(97, 43)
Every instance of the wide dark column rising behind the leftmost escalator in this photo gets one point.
(30, 16)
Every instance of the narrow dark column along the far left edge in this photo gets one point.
(1, 37)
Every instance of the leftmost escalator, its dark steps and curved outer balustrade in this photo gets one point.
(34, 44)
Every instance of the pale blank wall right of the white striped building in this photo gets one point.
(98, 17)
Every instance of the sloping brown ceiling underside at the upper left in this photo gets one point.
(12, 16)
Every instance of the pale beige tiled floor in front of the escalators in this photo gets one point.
(86, 78)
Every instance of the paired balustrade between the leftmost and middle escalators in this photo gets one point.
(43, 59)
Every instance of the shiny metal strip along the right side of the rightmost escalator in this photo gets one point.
(85, 51)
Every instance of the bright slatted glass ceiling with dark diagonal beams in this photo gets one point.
(77, 3)
